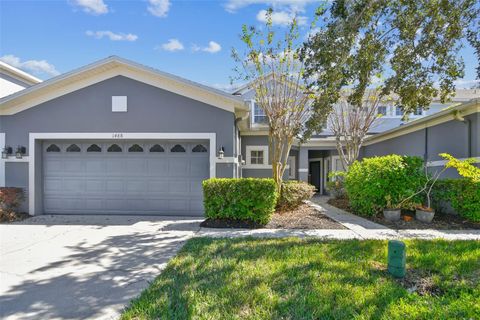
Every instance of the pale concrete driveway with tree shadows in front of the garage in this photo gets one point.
(83, 267)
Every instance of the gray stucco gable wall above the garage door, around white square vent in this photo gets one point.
(150, 109)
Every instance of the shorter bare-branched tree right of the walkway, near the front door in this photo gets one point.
(350, 125)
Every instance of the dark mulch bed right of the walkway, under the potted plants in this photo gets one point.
(441, 221)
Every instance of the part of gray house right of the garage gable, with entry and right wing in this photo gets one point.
(426, 133)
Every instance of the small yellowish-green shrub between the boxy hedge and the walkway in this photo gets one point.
(293, 194)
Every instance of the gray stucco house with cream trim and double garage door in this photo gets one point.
(117, 137)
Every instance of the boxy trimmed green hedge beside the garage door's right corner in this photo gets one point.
(248, 199)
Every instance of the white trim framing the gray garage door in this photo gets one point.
(33, 137)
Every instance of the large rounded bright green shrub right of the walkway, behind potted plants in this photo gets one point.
(370, 182)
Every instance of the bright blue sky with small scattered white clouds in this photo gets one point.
(192, 39)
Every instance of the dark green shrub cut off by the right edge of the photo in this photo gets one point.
(462, 194)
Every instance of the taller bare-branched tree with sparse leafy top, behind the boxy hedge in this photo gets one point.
(273, 69)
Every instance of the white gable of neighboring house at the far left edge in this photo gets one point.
(13, 79)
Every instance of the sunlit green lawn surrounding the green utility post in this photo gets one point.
(310, 279)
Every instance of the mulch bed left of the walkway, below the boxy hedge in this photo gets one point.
(305, 217)
